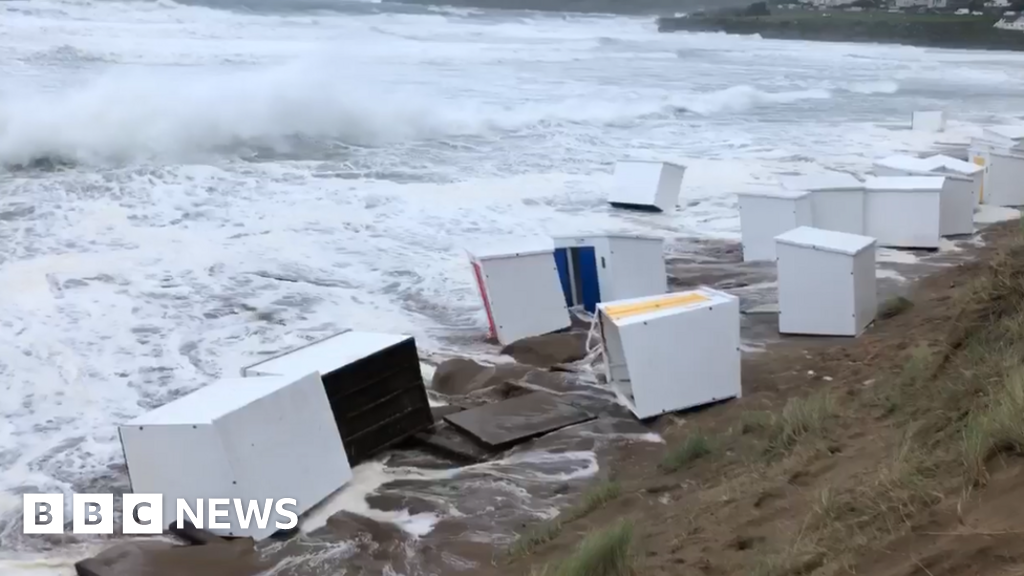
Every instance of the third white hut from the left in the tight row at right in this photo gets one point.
(905, 212)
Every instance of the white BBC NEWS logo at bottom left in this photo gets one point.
(144, 514)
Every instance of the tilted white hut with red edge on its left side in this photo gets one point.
(522, 293)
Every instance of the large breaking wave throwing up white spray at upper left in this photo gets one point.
(149, 116)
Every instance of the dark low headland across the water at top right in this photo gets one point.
(933, 31)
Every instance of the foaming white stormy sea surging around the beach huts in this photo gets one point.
(187, 187)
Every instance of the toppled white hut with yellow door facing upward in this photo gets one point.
(673, 352)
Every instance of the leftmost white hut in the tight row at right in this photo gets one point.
(763, 216)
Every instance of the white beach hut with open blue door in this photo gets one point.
(596, 268)
